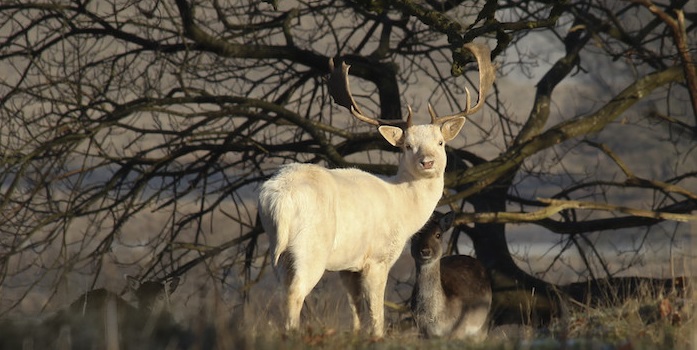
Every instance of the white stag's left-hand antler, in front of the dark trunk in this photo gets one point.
(339, 89)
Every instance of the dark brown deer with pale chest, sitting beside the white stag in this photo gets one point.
(452, 295)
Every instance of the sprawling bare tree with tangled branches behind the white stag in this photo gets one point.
(115, 113)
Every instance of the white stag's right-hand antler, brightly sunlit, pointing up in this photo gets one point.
(487, 74)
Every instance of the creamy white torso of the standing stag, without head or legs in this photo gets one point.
(340, 210)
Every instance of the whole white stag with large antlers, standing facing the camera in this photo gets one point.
(351, 221)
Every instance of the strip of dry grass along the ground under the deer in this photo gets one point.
(637, 323)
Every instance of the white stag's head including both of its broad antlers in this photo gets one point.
(423, 146)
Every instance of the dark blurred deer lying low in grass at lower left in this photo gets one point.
(98, 318)
